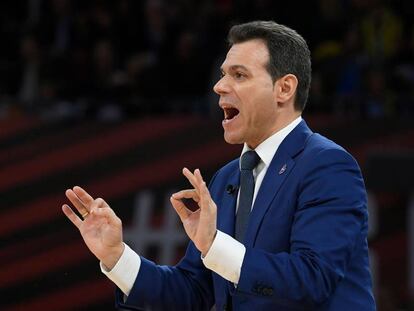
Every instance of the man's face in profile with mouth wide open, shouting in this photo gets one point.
(247, 94)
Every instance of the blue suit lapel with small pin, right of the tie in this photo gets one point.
(279, 169)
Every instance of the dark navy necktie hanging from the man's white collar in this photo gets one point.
(249, 161)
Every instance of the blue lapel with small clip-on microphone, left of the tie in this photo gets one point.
(225, 220)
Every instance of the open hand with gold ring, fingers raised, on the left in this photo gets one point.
(100, 228)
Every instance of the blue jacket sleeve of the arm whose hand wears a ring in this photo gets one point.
(186, 286)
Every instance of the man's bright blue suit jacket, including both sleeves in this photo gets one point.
(306, 241)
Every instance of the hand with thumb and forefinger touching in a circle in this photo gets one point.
(200, 225)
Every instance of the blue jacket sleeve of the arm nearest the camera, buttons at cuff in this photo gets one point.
(330, 212)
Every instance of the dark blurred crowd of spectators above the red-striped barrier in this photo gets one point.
(115, 59)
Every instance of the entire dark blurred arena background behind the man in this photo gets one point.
(116, 96)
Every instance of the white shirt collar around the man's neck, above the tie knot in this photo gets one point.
(267, 149)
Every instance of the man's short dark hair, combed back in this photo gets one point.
(288, 53)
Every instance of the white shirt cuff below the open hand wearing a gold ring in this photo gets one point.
(124, 273)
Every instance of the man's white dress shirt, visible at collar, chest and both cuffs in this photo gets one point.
(226, 254)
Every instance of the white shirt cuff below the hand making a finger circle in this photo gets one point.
(225, 257)
